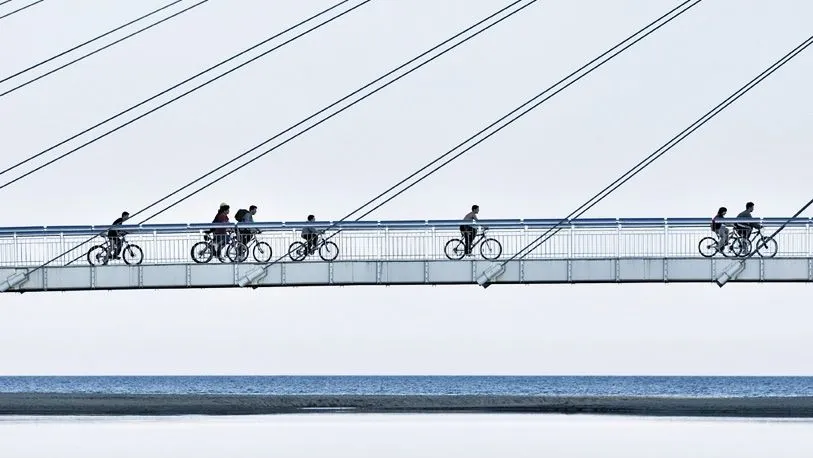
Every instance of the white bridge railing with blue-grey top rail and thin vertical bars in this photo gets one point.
(407, 240)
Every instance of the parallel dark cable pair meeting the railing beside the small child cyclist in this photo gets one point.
(607, 55)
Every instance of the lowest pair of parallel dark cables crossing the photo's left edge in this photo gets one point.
(206, 83)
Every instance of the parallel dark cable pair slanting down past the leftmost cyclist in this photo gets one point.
(425, 53)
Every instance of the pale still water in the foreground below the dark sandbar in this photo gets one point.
(390, 436)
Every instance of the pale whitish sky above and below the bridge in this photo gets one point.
(541, 167)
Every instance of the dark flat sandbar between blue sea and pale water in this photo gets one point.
(68, 404)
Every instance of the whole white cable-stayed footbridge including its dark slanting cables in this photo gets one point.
(357, 252)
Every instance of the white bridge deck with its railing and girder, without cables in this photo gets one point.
(616, 250)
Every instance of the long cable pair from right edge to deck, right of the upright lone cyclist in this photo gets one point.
(522, 253)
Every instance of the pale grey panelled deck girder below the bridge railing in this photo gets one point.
(348, 273)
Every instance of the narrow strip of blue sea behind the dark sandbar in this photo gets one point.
(589, 386)
